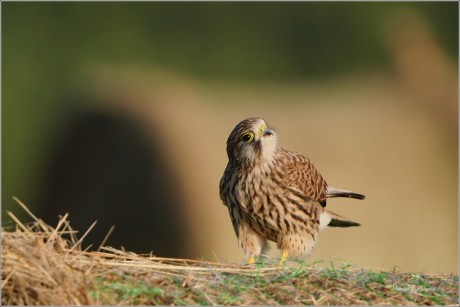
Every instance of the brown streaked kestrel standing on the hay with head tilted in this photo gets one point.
(274, 194)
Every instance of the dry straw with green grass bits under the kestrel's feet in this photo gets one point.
(42, 265)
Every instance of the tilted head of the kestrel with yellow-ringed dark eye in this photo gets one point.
(252, 141)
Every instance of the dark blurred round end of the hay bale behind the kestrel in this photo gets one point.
(105, 168)
